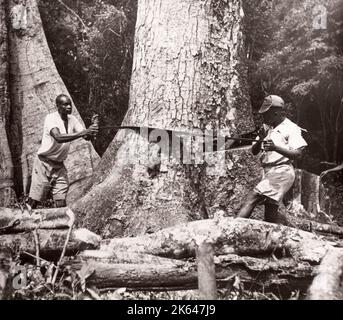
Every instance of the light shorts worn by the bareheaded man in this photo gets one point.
(48, 176)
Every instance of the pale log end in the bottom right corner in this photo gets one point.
(327, 285)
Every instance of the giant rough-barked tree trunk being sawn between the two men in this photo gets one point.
(187, 74)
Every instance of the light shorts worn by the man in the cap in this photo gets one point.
(276, 182)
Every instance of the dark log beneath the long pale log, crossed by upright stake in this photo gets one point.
(286, 274)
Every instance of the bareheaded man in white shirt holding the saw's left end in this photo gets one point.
(49, 172)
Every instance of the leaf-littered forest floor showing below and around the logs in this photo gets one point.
(69, 285)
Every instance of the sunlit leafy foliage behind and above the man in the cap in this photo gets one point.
(304, 64)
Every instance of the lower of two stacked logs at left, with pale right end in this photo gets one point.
(50, 242)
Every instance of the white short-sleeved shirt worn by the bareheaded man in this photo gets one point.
(50, 148)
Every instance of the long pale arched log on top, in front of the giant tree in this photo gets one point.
(227, 235)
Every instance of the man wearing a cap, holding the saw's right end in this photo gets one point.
(279, 142)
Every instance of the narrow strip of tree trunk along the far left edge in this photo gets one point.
(7, 195)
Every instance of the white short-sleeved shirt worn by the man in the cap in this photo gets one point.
(286, 135)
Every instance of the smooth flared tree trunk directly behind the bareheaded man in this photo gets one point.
(35, 83)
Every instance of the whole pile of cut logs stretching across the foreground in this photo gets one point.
(235, 252)
